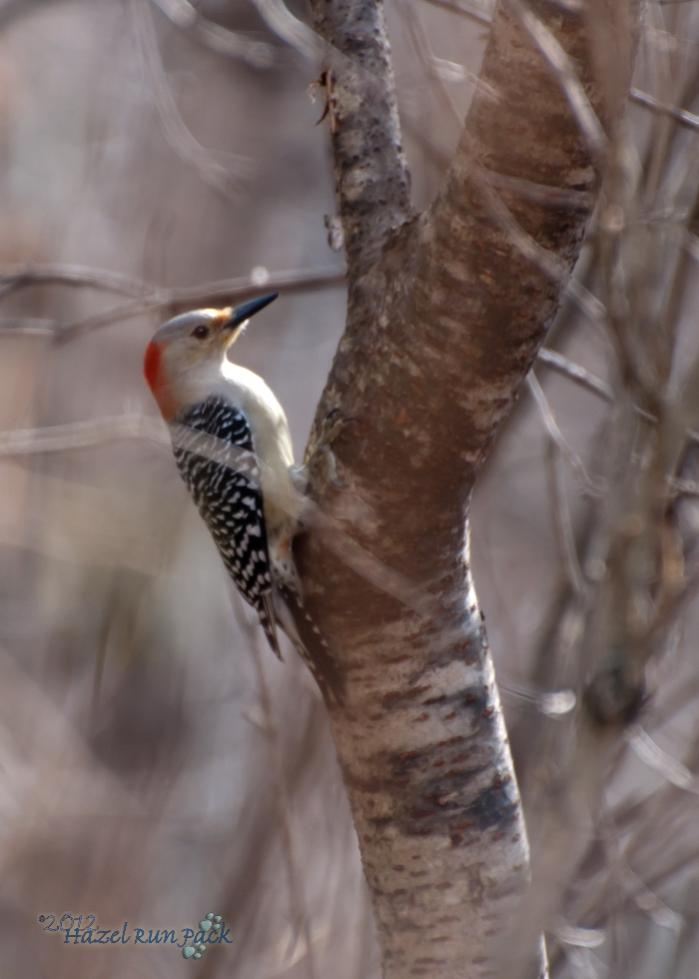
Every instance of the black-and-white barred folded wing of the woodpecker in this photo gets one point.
(215, 455)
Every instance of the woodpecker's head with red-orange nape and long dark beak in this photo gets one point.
(191, 344)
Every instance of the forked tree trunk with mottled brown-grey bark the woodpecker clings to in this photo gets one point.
(446, 312)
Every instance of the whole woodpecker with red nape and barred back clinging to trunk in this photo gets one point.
(233, 449)
